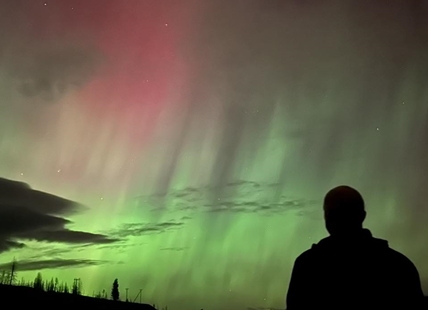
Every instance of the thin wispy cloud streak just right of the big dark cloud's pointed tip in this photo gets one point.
(139, 229)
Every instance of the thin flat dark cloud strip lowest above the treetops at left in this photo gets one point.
(52, 264)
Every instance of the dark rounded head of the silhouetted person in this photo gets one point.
(344, 212)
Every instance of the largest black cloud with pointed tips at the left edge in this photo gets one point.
(27, 214)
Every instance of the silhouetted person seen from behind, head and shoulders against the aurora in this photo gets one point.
(351, 269)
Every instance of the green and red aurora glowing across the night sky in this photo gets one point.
(200, 137)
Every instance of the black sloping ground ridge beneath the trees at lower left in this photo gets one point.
(27, 297)
